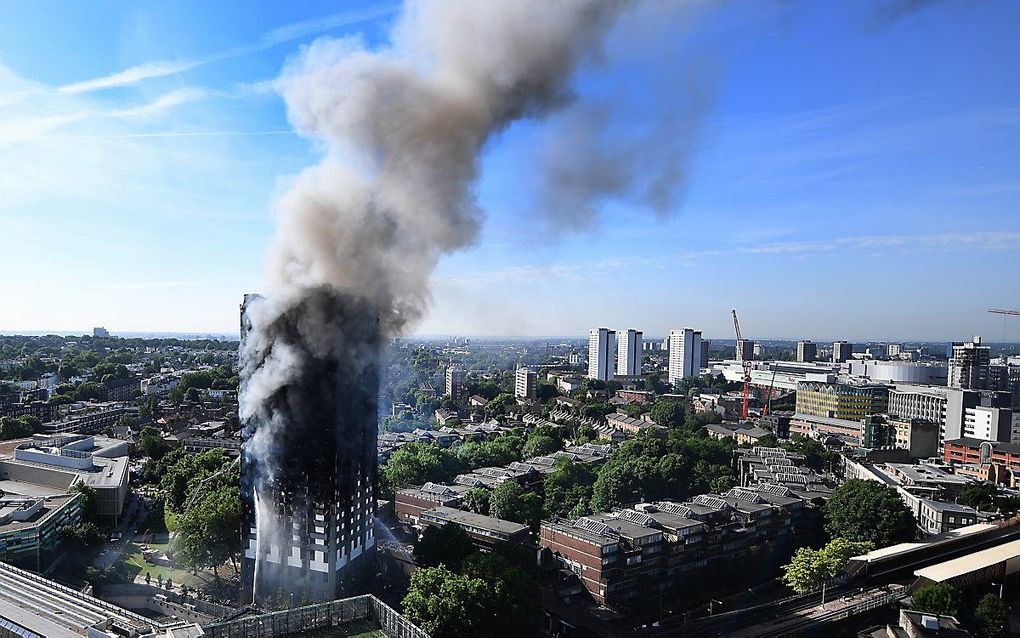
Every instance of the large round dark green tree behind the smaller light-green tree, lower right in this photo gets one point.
(869, 511)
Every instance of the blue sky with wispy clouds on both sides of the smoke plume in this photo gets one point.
(850, 174)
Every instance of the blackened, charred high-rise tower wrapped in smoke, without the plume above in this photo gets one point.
(310, 394)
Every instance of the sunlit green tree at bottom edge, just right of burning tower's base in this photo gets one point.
(445, 605)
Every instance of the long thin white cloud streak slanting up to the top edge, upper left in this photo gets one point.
(281, 35)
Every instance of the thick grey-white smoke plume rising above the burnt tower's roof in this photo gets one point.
(403, 129)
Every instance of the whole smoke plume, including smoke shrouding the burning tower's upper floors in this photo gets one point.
(402, 130)
